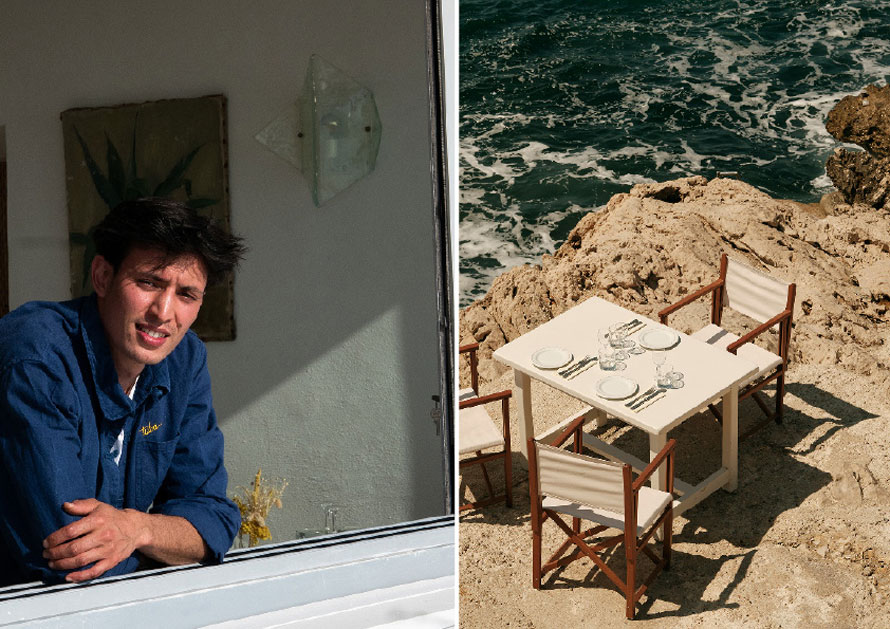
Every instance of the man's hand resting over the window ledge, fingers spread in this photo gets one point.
(103, 536)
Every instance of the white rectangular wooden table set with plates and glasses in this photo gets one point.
(709, 373)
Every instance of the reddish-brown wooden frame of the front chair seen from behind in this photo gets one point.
(634, 545)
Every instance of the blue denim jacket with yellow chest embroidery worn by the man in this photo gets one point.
(61, 409)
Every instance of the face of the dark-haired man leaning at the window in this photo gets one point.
(146, 308)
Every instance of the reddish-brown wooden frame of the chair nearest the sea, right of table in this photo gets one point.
(783, 319)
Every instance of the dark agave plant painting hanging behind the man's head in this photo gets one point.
(170, 148)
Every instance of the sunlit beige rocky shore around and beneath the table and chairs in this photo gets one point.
(805, 540)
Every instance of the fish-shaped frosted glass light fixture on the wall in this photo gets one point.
(333, 131)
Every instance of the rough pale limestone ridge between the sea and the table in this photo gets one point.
(649, 247)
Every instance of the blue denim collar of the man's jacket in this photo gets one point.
(115, 404)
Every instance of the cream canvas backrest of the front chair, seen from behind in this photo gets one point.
(581, 479)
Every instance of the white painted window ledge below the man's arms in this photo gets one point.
(395, 576)
